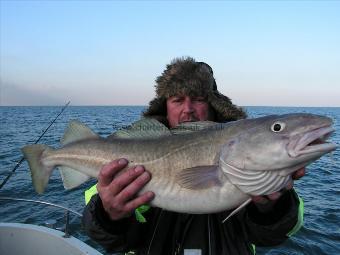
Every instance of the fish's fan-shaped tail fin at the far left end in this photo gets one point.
(39, 172)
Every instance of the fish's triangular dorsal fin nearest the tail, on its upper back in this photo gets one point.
(77, 131)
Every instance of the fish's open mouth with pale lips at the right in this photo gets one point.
(312, 141)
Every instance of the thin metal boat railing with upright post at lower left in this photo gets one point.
(67, 210)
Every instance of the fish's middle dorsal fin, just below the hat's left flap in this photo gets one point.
(144, 128)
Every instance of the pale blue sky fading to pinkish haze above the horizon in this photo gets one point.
(277, 53)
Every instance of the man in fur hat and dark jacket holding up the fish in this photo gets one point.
(185, 92)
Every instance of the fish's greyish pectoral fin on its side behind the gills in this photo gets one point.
(199, 177)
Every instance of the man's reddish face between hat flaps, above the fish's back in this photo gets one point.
(184, 109)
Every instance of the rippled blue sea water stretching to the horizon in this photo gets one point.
(320, 188)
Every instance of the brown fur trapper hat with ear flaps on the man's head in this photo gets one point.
(185, 76)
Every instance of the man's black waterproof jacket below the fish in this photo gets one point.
(177, 233)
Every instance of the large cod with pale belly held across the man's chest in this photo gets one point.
(210, 170)
